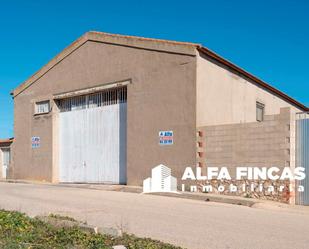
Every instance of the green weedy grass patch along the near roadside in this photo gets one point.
(20, 231)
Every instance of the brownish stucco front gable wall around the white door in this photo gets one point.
(159, 80)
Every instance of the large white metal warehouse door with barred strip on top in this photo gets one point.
(92, 138)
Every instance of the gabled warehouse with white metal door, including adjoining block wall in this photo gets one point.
(109, 108)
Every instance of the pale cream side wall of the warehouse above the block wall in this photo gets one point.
(223, 97)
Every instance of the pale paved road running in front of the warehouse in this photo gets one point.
(188, 223)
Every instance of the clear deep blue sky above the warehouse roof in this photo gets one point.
(268, 38)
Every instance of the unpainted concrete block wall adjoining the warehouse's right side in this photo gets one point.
(256, 144)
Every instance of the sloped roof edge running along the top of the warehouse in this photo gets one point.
(151, 44)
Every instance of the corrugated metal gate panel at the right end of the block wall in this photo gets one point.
(302, 159)
